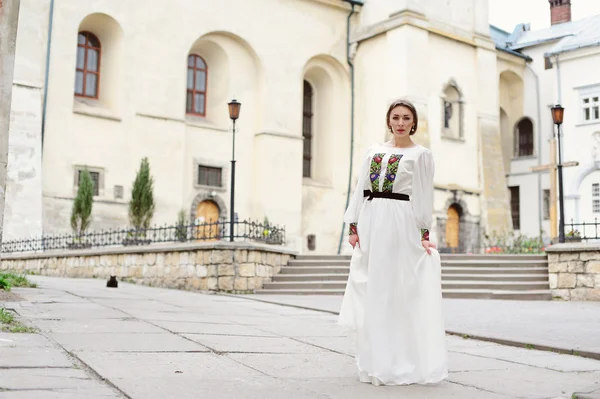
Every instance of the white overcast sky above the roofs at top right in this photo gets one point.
(507, 13)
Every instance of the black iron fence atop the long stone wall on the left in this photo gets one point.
(197, 232)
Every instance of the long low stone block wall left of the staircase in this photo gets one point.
(220, 266)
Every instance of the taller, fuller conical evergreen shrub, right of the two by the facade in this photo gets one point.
(141, 205)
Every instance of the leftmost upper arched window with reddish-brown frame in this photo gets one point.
(87, 74)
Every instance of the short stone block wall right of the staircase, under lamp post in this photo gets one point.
(574, 271)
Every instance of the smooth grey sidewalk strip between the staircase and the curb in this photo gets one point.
(570, 327)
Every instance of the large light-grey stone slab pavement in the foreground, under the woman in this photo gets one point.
(141, 342)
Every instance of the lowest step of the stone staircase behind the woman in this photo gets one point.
(533, 295)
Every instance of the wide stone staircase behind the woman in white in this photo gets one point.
(522, 277)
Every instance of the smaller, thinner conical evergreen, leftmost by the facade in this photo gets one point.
(81, 213)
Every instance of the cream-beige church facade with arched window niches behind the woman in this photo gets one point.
(440, 56)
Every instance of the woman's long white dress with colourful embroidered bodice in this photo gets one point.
(393, 299)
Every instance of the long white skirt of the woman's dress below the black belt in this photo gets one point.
(393, 299)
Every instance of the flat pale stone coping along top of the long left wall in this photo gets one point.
(154, 248)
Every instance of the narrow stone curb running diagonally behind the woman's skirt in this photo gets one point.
(501, 341)
